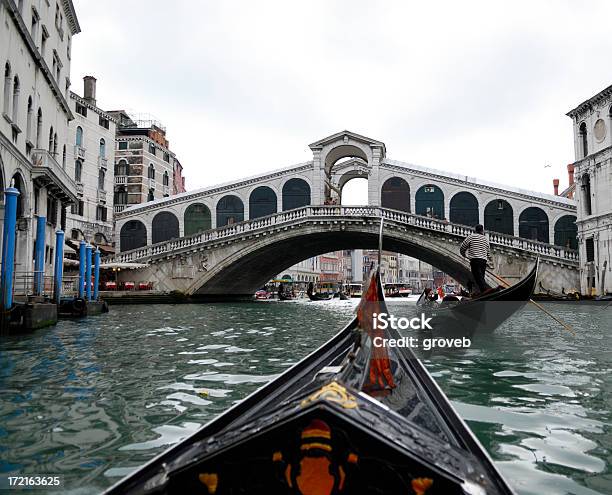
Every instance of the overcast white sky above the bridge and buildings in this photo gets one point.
(479, 88)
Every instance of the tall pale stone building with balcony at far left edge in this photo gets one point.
(35, 52)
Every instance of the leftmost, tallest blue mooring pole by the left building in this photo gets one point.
(8, 246)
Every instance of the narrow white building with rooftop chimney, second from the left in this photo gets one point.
(91, 155)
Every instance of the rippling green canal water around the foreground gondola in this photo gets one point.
(91, 400)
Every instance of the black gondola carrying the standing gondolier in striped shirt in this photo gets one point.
(487, 311)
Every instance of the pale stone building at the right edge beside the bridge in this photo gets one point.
(593, 177)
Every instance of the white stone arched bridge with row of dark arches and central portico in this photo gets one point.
(231, 238)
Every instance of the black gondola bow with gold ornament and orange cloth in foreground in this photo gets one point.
(353, 417)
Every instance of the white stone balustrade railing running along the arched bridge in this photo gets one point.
(370, 212)
